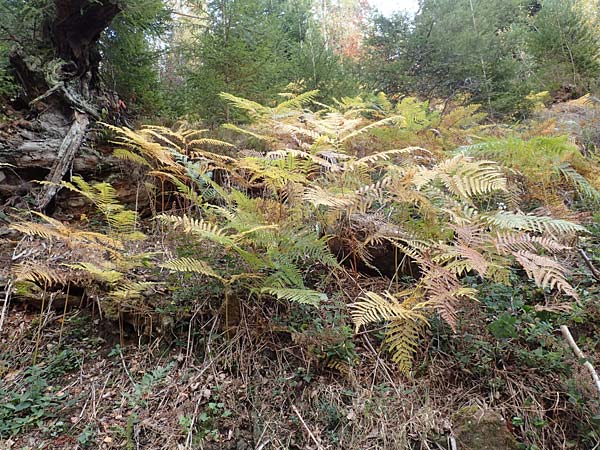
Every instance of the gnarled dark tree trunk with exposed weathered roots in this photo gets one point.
(60, 97)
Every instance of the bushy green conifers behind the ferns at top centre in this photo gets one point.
(255, 49)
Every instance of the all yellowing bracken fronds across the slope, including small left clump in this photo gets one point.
(307, 187)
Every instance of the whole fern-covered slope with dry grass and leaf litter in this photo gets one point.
(365, 274)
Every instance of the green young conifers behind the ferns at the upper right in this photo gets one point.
(492, 52)
